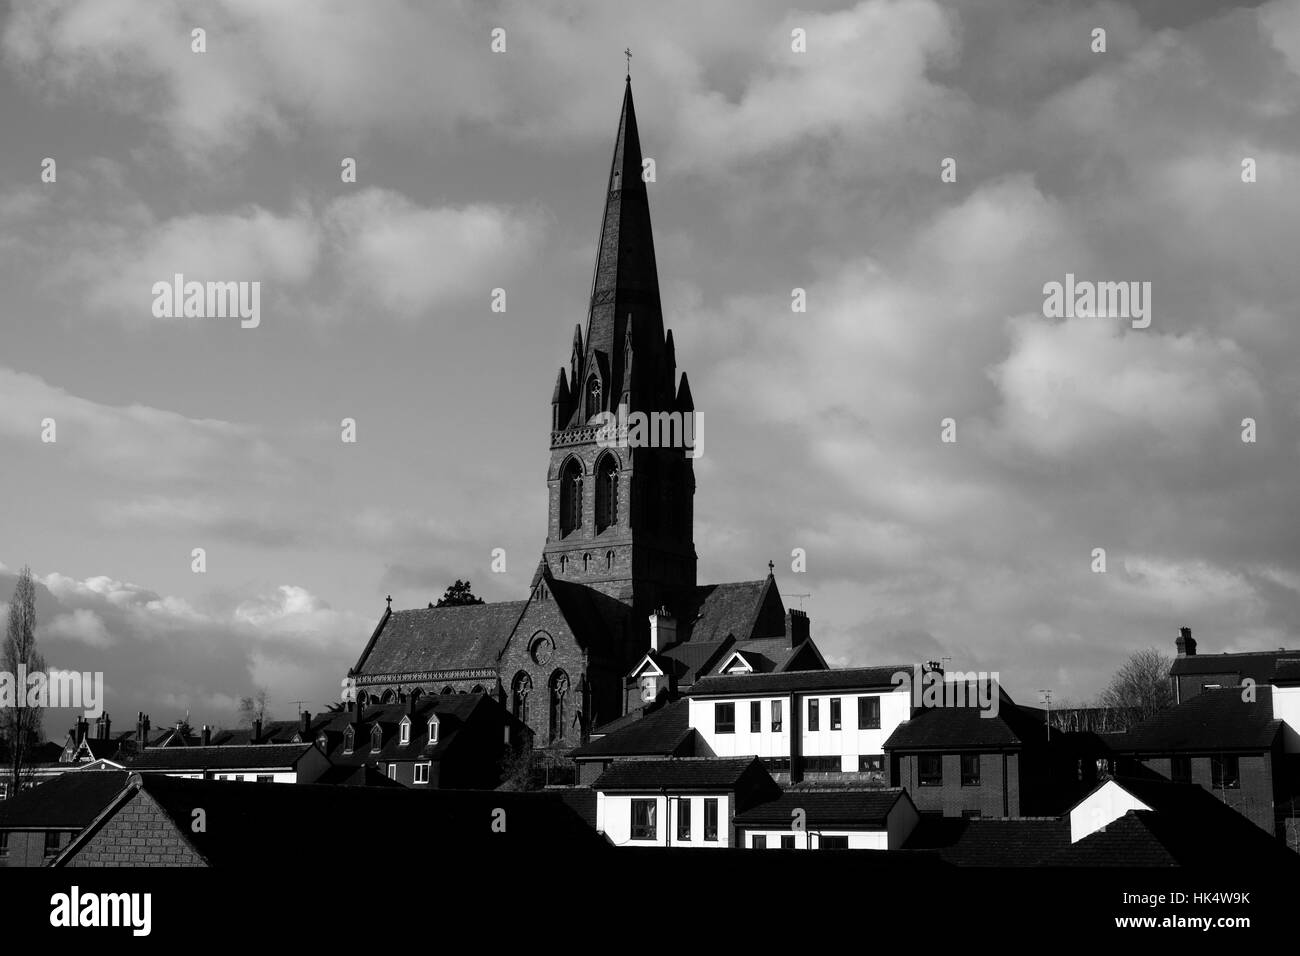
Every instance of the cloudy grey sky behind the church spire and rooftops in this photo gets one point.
(775, 170)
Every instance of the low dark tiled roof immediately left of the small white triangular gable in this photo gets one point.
(991, 842)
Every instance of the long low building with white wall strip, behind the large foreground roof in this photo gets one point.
(254, 764)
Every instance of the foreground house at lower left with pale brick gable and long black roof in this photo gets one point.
(170, 821)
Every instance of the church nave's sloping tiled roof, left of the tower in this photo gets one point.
(441, 639)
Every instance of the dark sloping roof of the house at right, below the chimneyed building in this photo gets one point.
(1211, 721)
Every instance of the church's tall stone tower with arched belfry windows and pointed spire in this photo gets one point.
(622, 512)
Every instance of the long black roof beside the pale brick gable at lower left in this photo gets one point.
(293, 823)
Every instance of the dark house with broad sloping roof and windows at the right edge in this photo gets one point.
(1227, 741)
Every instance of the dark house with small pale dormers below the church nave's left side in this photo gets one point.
(436, 742)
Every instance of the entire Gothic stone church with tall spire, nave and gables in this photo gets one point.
(616, 618)
